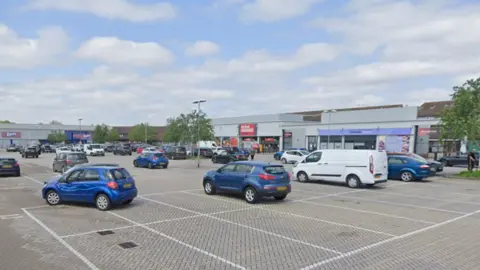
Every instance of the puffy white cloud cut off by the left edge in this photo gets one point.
(18, 52)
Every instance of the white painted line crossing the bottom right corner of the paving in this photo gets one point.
(351, 253)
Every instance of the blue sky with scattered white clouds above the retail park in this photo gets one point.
(123, 62)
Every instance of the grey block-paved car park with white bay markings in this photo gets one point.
(174, 225)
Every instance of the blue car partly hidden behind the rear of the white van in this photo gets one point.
(408, 168)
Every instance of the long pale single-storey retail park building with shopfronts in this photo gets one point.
(393, 128)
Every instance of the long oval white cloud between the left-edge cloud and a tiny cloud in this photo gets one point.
(113, 50)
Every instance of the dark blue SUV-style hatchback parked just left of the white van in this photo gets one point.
(251, 178)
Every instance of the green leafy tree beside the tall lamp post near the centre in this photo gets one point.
(183, 128)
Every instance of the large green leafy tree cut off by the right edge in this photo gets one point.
(462, 119)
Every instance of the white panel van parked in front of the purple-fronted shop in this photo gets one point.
(353, 167)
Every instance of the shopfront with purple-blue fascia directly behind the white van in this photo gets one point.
(389, 139)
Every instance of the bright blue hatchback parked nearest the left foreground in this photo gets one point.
(103, 186)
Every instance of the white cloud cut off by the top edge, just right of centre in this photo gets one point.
(275, 10)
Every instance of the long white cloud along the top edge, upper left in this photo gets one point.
(111, 9)
